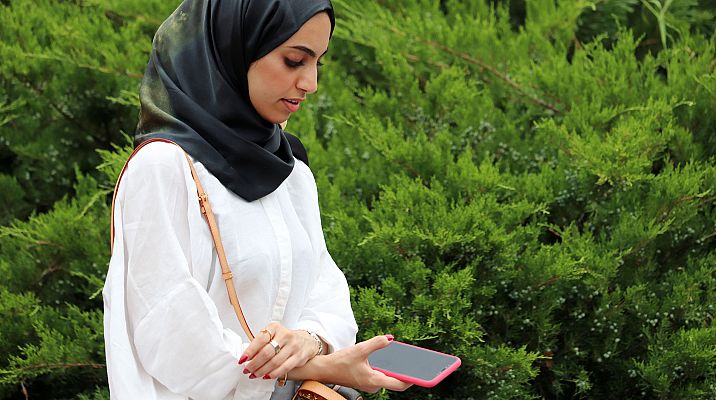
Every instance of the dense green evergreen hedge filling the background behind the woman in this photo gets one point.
(528, 185)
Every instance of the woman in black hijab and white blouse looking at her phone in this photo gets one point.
(221, 77)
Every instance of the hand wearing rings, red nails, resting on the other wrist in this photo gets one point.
(295, 348)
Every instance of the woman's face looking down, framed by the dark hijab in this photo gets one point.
(280, 80)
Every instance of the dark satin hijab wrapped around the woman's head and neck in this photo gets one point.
(195, 91)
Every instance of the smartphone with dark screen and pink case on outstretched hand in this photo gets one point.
(413, 364)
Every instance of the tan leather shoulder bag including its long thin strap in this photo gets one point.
(309, 390)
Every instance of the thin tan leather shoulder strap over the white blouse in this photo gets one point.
(210, 220)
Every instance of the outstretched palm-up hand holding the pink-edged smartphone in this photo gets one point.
(349, 367)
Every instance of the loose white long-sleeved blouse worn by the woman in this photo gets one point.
(170, 331)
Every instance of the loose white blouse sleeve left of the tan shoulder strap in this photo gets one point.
(175, 327)
